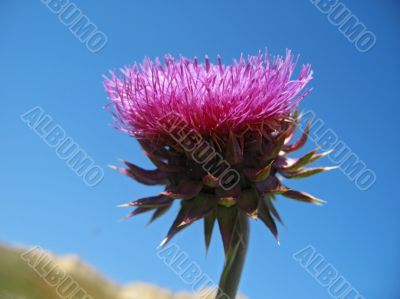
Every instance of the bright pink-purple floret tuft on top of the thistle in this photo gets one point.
(212, 99)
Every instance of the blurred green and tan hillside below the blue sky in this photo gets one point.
(61, 277)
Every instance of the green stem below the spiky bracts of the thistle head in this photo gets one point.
(234, 261)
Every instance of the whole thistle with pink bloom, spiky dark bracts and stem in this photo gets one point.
(219, 136)
